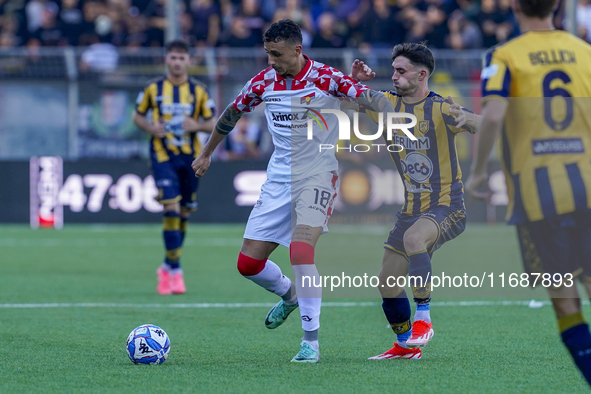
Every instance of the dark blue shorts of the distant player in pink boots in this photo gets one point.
(176, 181)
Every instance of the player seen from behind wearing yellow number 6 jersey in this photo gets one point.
(536, 91)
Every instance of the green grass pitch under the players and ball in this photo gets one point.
(475, 349)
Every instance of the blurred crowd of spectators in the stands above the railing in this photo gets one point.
(455, 24)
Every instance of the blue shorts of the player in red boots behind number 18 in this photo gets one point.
(450, 222)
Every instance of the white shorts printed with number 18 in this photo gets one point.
(311, 199)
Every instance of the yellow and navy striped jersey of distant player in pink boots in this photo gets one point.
(171, 104)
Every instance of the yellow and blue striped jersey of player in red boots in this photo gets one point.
(429, 167)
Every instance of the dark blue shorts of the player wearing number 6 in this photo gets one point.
(557, 245)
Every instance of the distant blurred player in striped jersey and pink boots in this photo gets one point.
(180, 107)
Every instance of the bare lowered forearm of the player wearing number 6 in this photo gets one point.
(493, 116)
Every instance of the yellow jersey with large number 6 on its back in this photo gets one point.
(546, 138)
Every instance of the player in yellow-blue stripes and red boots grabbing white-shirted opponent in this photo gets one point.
(434, 211)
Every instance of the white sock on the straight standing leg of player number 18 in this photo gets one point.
(309, 296)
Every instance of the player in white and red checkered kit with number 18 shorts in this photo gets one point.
(301, 180)
